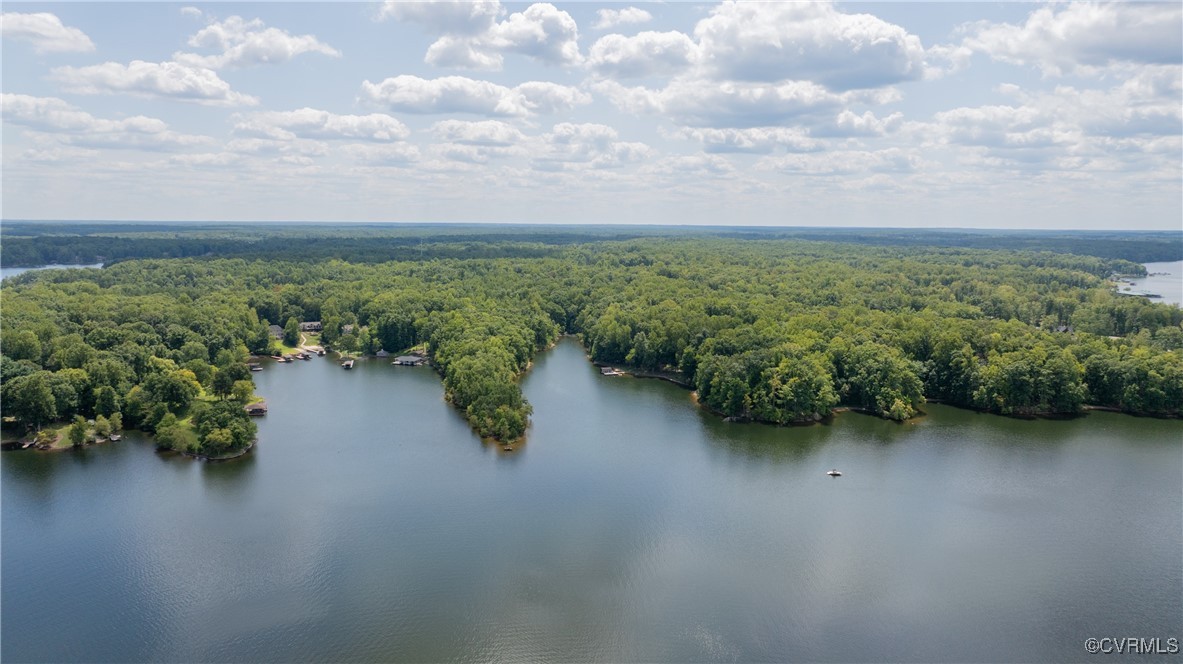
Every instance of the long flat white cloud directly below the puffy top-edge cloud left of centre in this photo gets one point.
(458, 94)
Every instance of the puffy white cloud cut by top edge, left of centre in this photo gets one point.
(471, 37)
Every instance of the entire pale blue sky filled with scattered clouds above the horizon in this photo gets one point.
(1064, 115)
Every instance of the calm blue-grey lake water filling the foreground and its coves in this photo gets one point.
(371, 525)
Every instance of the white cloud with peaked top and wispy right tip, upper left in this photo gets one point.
(244, 43)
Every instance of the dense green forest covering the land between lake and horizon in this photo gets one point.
(767, 330)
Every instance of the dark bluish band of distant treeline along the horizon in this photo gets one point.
(29, 244)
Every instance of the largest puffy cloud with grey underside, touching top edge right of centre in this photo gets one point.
(772, 42)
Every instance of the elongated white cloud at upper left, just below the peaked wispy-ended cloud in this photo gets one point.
(173, 81)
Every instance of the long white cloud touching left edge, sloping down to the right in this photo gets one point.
(76, 127)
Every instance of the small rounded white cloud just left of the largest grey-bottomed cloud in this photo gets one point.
(647, 54)
